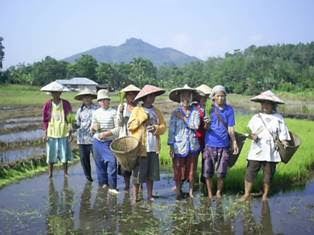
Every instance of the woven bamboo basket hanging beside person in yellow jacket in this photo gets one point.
(125, 149)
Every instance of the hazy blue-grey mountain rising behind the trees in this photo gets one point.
(134, 48)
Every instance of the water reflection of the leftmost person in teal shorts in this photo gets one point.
(60, 213)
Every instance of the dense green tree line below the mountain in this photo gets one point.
(284, 67)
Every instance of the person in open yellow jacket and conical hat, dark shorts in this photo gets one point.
(146, 124)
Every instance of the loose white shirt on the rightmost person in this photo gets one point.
(264, 149)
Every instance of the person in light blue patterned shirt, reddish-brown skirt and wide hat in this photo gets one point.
(182, 139)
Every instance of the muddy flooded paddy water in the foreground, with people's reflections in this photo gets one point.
(60, 205)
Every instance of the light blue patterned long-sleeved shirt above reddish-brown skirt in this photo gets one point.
(182, 134)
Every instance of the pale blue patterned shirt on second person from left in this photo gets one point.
(84, 122)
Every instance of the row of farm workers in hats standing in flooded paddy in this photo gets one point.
(202, 124)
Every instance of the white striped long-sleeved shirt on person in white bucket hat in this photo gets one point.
(106, 121)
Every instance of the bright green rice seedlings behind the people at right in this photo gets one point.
(296, 172)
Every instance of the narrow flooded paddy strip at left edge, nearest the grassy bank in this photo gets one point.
(20, 154)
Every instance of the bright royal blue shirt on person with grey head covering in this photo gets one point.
(217, 135)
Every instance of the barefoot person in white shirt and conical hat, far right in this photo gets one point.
(264, 128)
